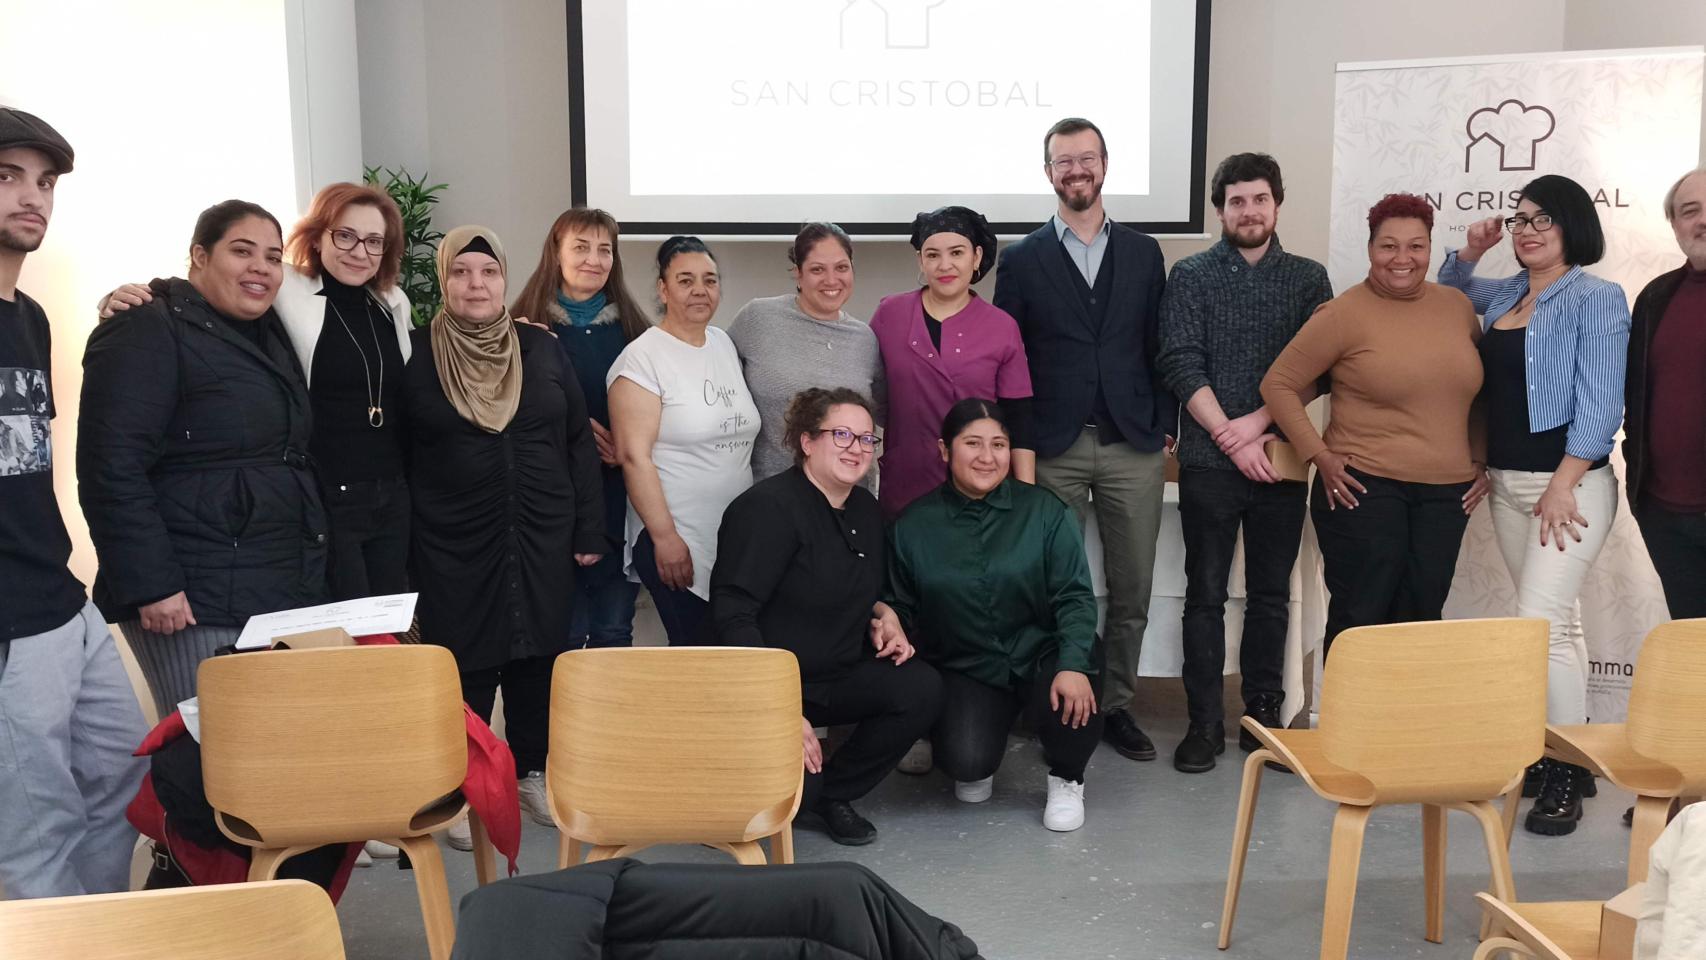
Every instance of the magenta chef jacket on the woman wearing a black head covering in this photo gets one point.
(982, 357)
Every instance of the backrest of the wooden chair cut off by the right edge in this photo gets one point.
(1668, 705)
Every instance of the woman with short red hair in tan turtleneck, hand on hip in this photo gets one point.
(1396, 473)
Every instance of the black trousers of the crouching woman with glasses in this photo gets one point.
(890, 707)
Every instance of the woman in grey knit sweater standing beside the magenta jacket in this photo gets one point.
(806, 340)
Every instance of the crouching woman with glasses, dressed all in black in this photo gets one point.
(801, 567)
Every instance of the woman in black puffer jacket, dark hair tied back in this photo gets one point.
(192, 456)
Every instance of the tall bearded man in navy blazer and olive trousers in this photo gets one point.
(1088, 299)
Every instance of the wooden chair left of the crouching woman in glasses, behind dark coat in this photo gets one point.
(675, 746)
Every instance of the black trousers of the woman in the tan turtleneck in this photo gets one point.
(1390, 560)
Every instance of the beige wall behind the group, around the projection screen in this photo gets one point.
(480, 100)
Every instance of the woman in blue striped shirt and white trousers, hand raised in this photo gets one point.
(1555, 362)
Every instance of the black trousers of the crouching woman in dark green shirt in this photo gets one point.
(970, 737)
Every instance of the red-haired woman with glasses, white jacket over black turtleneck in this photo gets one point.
(349, 323)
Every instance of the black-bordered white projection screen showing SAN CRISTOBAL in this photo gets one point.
(750, 117)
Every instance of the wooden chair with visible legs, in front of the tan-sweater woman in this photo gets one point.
(1437, 714)
